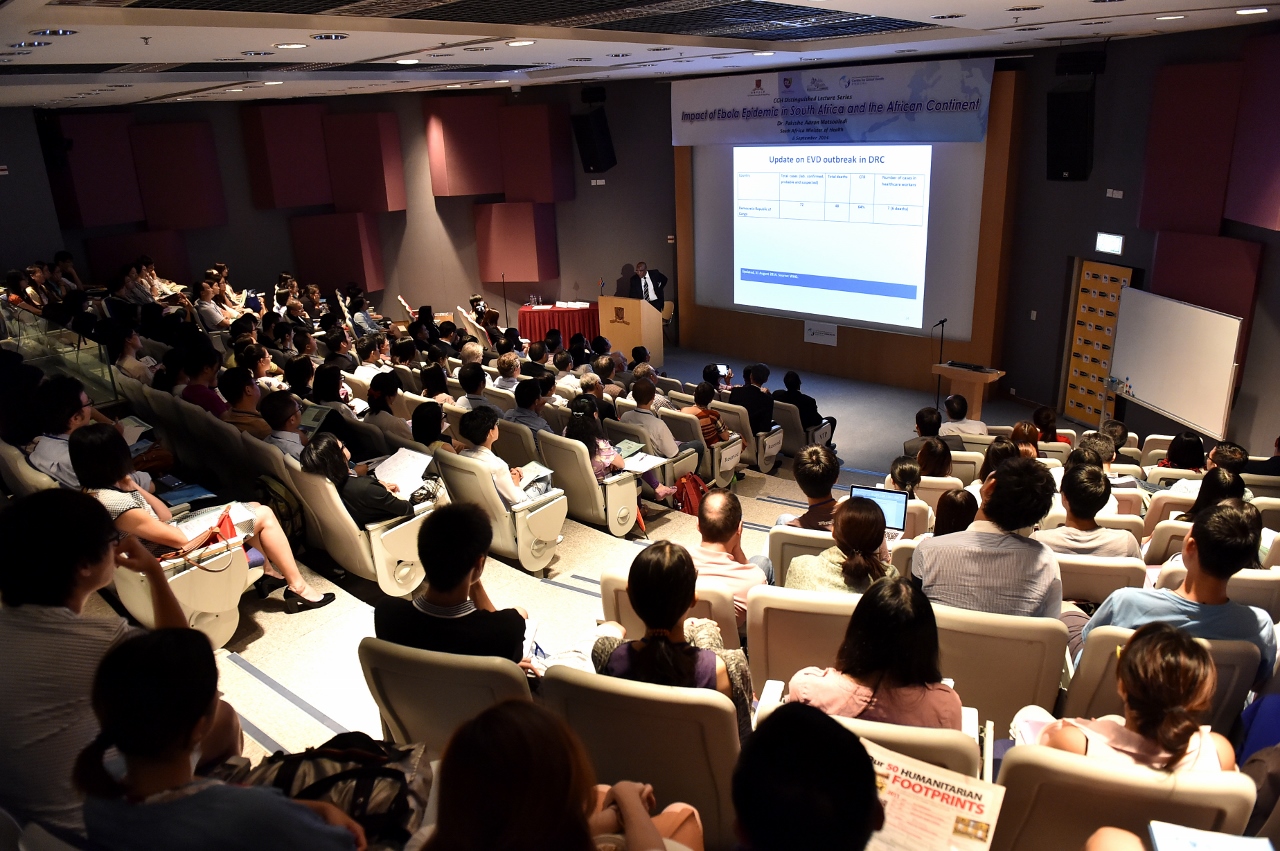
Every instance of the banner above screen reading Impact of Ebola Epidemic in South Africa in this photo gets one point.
(935, 102)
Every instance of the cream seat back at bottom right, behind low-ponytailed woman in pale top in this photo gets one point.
(1054, 800)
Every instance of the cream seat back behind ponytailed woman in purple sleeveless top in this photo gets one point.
(684, 742)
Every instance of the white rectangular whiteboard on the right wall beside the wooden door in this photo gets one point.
(1177, 359)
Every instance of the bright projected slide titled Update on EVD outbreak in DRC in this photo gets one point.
(838, 231)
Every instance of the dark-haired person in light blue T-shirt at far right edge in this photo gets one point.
(1222, 543)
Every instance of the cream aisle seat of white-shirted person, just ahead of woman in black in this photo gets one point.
(528, 532)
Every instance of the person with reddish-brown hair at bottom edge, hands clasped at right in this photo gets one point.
(529, 760)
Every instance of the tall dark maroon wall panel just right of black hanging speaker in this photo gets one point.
(1190, 155)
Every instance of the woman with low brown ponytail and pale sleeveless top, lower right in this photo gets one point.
(1167, 681)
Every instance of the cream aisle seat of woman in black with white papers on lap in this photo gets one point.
(385, 552)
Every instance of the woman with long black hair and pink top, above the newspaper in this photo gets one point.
(888, 667)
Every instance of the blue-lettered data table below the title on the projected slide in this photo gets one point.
(861, 198)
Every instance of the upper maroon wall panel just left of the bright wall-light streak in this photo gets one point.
(367, 168)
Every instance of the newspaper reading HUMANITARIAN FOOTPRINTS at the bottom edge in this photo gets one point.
(930, 808)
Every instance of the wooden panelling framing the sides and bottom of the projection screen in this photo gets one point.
(898, 360)
